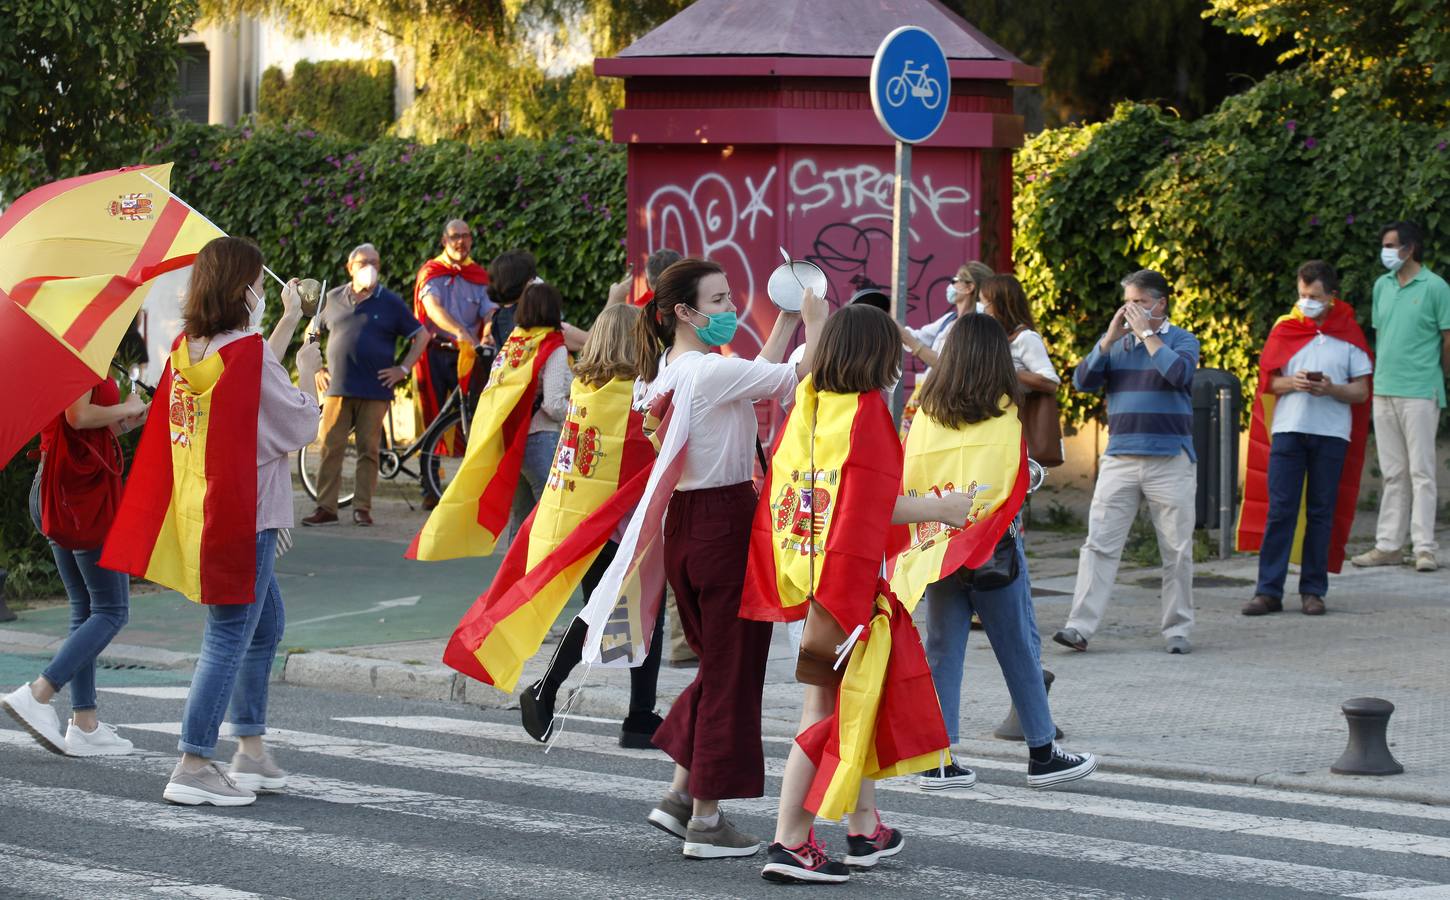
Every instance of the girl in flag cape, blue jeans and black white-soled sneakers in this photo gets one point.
(968, 438)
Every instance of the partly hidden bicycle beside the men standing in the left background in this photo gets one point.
(434, 470)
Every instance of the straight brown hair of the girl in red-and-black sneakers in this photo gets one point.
(861, 350)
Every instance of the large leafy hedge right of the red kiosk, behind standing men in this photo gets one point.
(1226, 208)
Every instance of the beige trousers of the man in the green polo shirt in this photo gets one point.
(1406, 443)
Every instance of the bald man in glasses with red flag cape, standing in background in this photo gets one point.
(452, 301)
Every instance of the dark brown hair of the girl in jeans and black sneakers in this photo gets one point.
(974, 375)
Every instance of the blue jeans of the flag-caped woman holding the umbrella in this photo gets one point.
(236, 664)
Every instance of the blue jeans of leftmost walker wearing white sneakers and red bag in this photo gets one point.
(101, 604)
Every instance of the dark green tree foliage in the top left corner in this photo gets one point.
(83, 83)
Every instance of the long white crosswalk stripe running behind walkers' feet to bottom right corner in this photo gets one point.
(987, 837)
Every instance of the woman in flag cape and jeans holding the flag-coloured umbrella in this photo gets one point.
(208, 493)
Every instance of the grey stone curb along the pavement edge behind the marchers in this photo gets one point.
(347, 673)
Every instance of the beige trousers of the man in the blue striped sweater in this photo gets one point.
(1169, 485)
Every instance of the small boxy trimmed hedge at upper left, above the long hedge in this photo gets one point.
(347, 98)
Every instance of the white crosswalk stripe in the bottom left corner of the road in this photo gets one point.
(24, 869)
